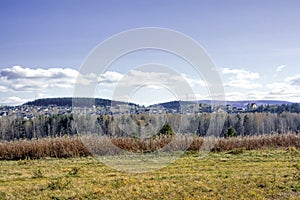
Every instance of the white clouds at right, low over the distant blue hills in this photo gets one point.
(242, 84)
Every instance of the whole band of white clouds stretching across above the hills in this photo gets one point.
(20, 84)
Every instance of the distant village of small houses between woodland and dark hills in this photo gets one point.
(29, 111)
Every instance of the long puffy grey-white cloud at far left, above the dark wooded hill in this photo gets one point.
(21, 79)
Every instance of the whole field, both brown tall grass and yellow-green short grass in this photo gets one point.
(253, 167)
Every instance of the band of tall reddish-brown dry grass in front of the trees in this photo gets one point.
(64, 147)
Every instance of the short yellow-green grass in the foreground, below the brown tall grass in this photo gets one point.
(228, 175)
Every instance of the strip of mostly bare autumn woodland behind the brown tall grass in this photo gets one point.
(144, 125)
